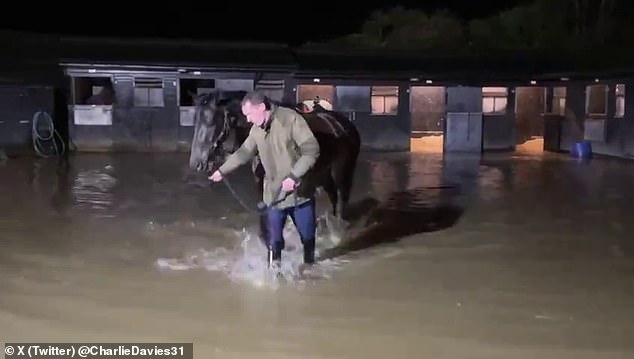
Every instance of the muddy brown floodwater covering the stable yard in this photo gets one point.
(504, 256)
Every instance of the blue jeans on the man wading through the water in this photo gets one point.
(303, 216)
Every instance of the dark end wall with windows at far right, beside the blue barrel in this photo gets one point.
(618, 133)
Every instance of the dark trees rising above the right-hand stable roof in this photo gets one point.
(553, 25)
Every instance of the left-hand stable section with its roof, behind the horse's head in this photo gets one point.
(138, 95)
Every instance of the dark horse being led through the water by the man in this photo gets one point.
(220, 128)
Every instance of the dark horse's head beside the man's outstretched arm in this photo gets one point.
(216, 116)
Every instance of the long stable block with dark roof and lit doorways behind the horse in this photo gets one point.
(136, 95)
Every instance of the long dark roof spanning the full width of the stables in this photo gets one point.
(25, 51)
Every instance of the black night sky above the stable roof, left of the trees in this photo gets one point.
(213, 19)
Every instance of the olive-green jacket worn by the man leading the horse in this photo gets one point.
(287, 148)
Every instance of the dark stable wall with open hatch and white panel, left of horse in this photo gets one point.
(143, 117)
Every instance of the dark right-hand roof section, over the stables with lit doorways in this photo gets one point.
(499, 65)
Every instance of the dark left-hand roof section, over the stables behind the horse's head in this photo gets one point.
(57, 49)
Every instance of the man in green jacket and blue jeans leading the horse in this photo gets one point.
(287, 149)
